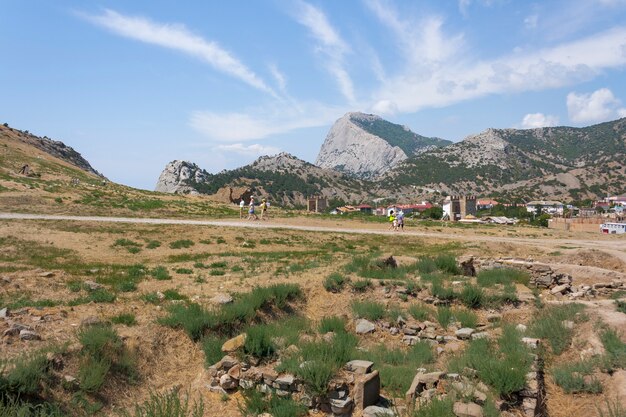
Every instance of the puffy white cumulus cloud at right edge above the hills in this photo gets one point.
(598, 106)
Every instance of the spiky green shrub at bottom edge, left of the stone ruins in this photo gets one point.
(167, 405)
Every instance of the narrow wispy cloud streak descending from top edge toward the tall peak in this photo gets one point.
(330, 44)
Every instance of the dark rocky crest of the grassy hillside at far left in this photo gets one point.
(52, 147)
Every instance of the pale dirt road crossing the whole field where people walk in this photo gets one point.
(615, 247)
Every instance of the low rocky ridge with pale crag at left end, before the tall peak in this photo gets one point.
(286, 179)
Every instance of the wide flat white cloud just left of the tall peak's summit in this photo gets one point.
(259, 123)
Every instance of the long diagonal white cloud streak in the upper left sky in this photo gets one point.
(176, 36)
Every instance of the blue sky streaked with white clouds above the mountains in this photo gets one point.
(135, 85)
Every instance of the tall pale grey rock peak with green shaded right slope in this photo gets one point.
(366, 146)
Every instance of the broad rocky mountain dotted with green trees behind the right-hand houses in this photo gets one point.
(551, 162)
